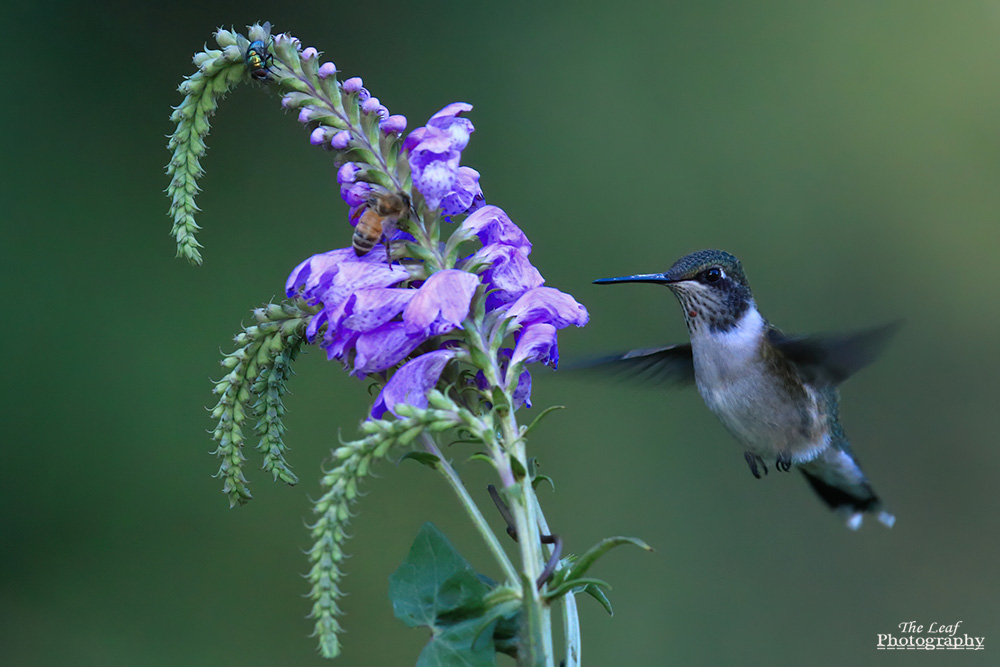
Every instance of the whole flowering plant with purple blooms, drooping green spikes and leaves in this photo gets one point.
(438, 306)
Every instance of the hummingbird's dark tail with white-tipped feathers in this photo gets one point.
(838, 480)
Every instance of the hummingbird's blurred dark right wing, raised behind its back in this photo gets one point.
(829, 359)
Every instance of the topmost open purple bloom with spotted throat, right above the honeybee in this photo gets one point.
(435, 151)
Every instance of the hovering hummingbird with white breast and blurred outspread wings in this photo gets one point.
(776, 394)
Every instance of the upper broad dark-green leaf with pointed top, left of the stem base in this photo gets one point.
(435, 584)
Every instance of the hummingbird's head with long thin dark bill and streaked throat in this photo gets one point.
(710, 284)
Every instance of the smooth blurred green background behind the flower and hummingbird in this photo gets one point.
(848, 152)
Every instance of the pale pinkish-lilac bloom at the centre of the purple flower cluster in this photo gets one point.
(441, 303)
